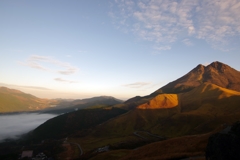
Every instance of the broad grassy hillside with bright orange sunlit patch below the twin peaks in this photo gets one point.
(199, 111)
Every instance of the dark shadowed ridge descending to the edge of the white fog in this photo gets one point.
(63, 125)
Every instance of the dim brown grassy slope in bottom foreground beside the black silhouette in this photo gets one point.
(181, 147)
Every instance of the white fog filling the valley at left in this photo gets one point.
(14, 125)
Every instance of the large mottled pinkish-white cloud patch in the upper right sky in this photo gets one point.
(165, 22)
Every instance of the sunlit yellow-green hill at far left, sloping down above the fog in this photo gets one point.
(16, 101)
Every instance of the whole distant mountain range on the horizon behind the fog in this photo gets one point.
(16, 101)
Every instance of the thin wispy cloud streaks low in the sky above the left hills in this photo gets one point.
(39, 62)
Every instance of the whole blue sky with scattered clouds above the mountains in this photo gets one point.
(123, 48)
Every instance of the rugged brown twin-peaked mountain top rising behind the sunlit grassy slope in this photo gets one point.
(216, 73)
